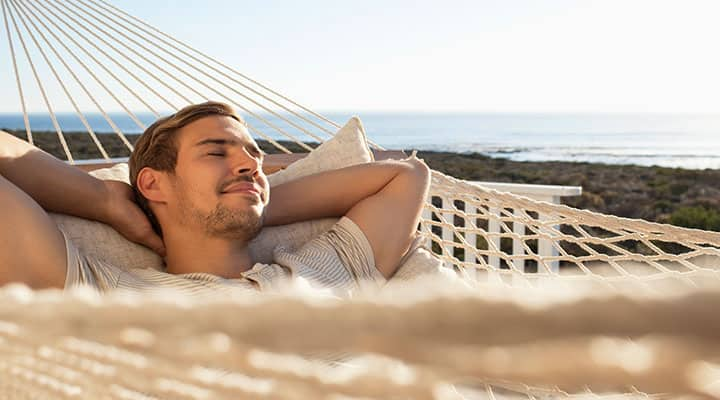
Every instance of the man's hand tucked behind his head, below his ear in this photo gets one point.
(126, 217)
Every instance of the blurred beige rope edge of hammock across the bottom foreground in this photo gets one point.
(607, 342)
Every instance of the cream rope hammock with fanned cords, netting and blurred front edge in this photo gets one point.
(553, 301)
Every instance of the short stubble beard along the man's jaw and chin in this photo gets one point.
(222, 221)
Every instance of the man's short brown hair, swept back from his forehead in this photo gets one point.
(157, 146)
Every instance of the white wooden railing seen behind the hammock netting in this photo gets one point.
(548, 193)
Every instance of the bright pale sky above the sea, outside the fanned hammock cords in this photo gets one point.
(451, 56)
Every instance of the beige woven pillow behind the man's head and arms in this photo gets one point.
(348, 147)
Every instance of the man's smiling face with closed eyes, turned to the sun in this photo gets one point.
(218, 183)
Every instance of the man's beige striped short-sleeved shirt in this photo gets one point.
(341, 259)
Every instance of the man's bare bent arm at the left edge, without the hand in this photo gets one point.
(32, 249)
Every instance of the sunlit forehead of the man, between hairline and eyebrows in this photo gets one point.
(213, 127)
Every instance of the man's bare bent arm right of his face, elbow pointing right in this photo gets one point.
(383, 198)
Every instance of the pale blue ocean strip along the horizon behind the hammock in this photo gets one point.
(671, 140)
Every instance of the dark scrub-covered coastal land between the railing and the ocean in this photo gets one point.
(683, 197)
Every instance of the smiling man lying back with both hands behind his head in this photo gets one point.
(198, 176)
